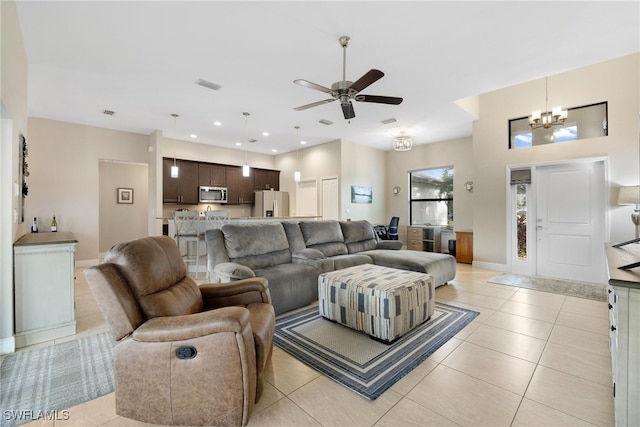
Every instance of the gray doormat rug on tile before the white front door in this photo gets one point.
(592, 291)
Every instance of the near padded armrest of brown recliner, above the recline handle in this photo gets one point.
(179, 328)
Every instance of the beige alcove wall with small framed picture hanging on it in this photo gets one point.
(120, 222)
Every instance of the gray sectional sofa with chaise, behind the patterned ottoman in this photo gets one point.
(292, 254)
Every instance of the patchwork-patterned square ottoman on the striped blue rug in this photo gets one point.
(383, 302)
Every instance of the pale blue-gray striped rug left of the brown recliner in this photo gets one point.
(42, 383)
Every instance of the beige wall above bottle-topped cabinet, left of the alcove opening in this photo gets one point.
(64, 181)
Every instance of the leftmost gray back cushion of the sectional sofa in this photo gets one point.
(257, 245)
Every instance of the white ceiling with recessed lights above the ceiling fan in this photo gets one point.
(141, 59)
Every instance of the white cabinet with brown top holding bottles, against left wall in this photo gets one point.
(44, 287)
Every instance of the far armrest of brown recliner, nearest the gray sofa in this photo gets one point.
(239, 292)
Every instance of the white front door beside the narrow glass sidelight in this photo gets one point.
(570, 221)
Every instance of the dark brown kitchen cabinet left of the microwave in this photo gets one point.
(183, 189)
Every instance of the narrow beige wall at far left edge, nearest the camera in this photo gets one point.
(13, 116)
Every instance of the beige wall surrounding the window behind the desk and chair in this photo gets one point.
(456, 153)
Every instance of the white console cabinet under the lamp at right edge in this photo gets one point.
(624, 332)
